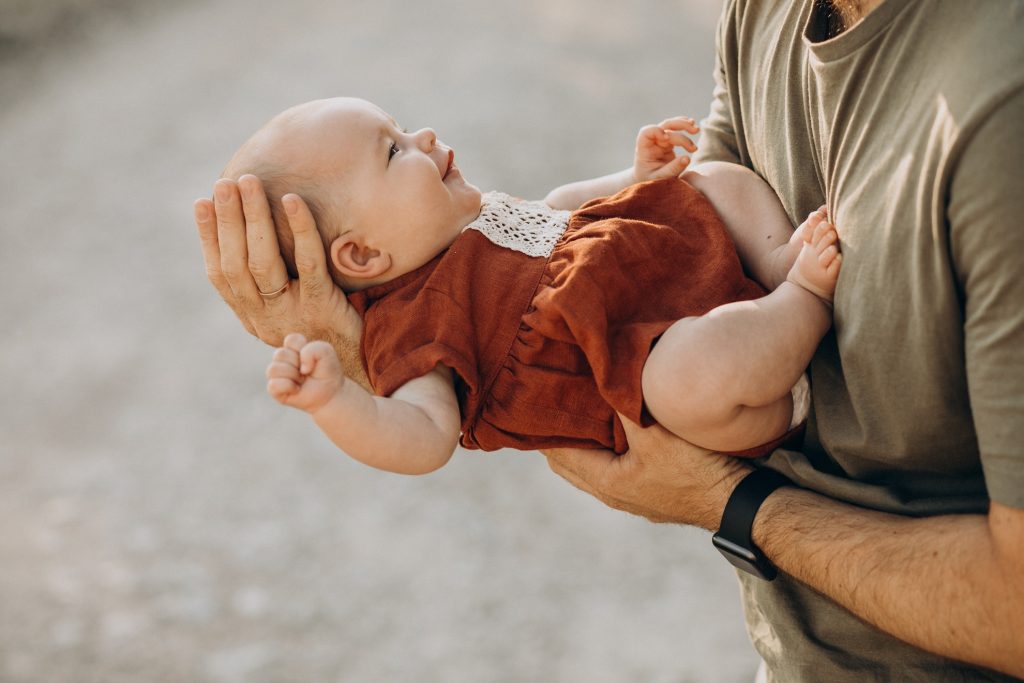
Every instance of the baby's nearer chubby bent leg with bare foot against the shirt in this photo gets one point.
(723, 380)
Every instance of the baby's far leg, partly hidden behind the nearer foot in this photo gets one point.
(754, 218)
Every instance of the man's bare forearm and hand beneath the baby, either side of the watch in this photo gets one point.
(952, 585)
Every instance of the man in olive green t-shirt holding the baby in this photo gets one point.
(901, 550)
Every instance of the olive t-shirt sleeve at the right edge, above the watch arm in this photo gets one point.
(987, 223)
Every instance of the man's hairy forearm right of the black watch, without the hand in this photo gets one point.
(951, 585)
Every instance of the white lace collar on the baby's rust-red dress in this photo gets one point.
(529, 228)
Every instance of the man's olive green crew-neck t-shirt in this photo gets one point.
(910, 126)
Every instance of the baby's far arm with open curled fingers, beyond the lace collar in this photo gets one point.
(656, 158)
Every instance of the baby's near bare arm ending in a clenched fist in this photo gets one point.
(413, 432)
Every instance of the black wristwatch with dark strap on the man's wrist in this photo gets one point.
(734, 538)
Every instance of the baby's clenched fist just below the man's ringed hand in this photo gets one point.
(305, 375)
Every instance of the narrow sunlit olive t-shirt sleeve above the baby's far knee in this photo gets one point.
(718, 136)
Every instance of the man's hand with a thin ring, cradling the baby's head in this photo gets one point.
(240, 248)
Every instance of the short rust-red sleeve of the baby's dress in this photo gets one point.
(407, 338)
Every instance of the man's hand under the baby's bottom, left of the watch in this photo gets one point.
(661, 478)
